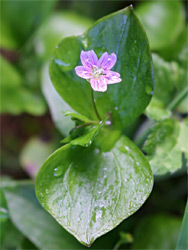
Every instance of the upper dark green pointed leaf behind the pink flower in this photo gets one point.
(126, 100)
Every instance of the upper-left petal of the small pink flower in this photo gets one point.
(88, 58)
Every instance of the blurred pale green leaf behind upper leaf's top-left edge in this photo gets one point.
(58, 26)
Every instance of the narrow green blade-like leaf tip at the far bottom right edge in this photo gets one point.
(183, 239)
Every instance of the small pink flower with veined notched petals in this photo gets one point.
(98, 71)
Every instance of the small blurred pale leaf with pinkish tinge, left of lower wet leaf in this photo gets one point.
(34, 153)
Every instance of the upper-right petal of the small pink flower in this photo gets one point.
(107, 61)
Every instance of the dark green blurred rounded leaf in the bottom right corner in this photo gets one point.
(157, 232)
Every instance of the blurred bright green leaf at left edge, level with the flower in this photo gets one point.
(15, 98)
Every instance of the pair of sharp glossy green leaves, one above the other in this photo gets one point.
(95, 190)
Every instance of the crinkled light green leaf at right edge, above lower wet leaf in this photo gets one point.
(165, 145)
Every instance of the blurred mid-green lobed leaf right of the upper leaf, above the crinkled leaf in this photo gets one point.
(171, 79)
